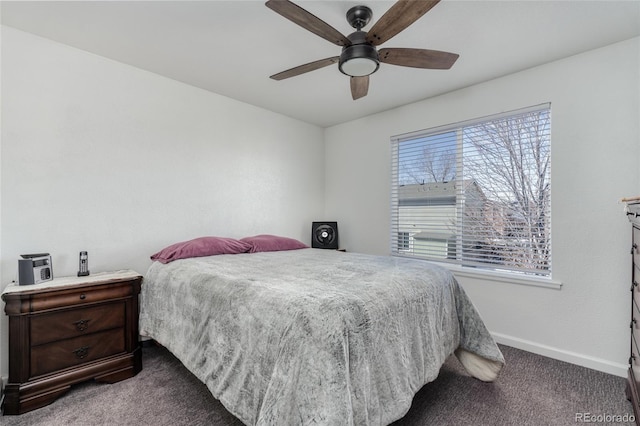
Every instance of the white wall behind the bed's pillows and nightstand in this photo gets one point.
(104, 157)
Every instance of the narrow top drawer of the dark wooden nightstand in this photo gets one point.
(79, 296)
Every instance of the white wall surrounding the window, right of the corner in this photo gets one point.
(595, 153)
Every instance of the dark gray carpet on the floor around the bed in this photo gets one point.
(531, 390)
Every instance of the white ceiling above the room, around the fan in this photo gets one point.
(232, 47)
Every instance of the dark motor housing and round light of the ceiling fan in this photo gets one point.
(359, 58)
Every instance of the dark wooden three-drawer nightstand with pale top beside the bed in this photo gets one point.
(69, 330)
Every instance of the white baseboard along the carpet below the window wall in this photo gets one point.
(562, 355)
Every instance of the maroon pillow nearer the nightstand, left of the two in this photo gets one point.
(203, 246)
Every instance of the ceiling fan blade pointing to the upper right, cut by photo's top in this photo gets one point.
(402, 14)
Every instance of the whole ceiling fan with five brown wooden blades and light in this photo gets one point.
(359, 57)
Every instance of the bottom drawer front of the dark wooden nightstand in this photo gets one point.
(71, 352)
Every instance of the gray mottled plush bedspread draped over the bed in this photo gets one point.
(313, 336)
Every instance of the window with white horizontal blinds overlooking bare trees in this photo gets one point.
(477, 193)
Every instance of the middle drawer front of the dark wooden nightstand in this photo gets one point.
(47, 328)
